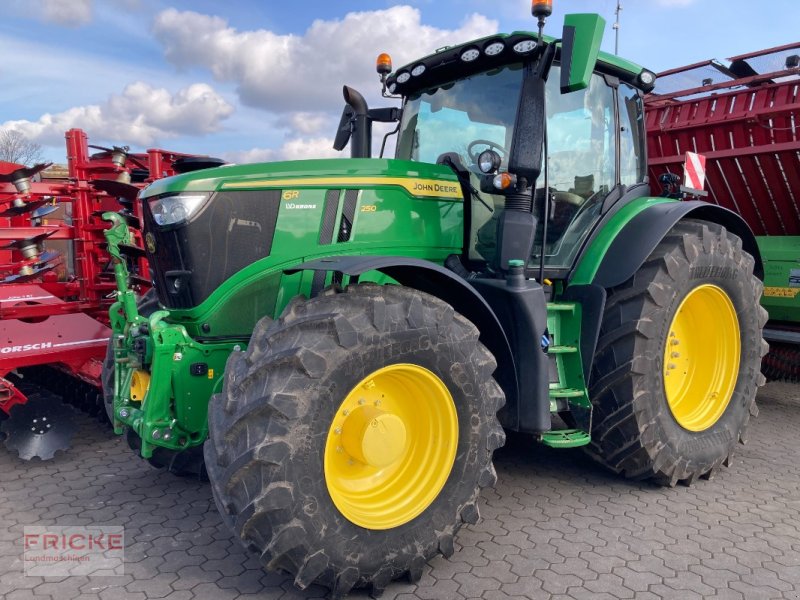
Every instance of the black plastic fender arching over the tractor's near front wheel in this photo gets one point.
(438, 281)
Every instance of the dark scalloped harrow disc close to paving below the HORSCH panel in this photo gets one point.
(40, 427)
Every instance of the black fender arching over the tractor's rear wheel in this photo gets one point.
(637, 240)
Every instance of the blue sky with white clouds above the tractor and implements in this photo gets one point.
(253, 80)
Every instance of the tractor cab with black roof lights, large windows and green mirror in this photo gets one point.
(515, 115)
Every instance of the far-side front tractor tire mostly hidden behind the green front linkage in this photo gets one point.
(187, 463)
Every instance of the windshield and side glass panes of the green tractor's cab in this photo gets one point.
(478, 112)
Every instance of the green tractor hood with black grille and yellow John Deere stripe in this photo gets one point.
(205, 227)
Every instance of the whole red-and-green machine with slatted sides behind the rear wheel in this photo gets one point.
(743, 116)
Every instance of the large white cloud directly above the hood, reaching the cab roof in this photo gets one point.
(305, 72)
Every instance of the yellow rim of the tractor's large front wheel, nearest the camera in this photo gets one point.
(391, 446)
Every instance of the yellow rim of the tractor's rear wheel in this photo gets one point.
(701, 358)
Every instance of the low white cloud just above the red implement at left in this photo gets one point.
(141, 115)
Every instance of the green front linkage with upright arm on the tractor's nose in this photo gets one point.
(151, 361)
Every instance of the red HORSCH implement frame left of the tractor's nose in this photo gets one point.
(59, 315)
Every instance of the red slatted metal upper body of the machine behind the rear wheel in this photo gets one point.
(745, 122)
